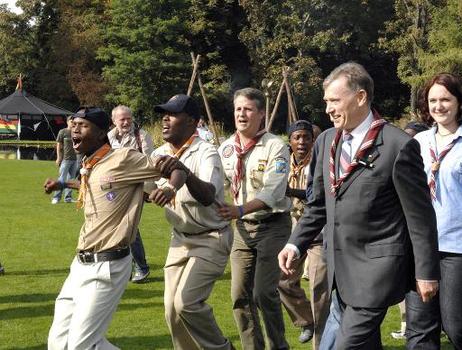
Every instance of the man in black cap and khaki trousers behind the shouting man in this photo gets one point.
(201, 240)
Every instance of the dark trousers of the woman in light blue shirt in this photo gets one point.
(424, 320)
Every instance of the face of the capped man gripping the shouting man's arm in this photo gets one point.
(177, 128)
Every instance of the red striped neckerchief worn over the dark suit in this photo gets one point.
(367, 143)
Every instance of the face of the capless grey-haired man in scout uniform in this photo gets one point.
(247, 117)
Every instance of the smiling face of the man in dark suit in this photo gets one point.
(346, 108)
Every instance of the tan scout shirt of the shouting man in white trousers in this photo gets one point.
(114, 199)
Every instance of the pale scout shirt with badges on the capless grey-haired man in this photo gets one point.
(265, 174)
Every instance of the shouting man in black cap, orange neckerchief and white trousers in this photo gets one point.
(111, 193)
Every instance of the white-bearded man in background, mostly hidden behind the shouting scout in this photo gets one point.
(127, 134)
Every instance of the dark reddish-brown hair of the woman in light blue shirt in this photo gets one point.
(452, 83)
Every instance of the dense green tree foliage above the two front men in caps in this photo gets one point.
(145, 53)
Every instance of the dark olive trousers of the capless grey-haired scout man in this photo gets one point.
(255, 275)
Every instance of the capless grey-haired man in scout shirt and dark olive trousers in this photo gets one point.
(256, 164)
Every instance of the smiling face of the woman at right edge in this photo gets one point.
(443, 106)
